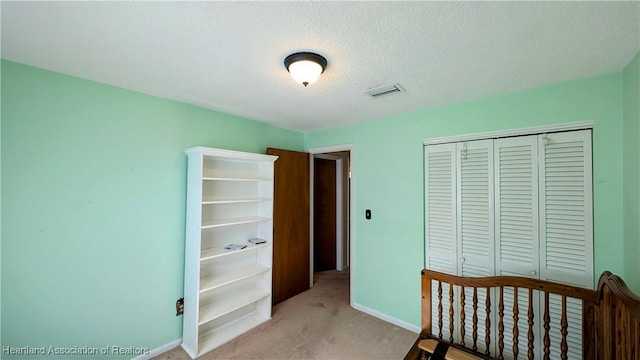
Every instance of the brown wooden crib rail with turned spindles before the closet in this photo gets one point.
(609, 316)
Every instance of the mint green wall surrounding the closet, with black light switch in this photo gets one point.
(388, 179)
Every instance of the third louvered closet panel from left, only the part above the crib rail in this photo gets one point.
(516, 219)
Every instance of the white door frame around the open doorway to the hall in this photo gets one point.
(319, 152)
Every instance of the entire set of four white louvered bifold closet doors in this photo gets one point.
(512, 206)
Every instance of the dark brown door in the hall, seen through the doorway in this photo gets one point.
(324, 215)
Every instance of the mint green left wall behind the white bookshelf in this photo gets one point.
(93, 198)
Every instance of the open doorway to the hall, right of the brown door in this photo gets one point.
(331, 211)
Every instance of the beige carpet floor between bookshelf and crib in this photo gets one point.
(316, 324)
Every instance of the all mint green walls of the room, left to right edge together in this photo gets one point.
(93, 195)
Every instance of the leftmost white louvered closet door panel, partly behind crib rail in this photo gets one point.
(440, 223)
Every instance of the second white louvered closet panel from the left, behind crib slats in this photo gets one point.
(475, 231)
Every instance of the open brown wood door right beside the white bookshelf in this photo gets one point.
(290, 224)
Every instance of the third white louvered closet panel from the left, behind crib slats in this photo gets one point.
(516, 231)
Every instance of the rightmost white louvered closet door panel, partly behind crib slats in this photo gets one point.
(566, 226)
